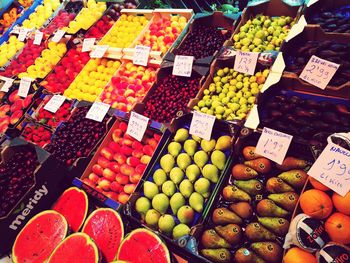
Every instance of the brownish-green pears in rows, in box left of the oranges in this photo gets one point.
(252, 214)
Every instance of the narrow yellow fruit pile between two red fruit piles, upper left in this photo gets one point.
(46, 62)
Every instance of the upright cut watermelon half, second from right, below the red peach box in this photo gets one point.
(105, 227)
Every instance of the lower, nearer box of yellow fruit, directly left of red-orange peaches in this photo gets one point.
(92, 79)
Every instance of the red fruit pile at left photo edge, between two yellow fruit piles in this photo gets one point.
(27, 57)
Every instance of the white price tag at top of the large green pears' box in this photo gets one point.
(202, 125)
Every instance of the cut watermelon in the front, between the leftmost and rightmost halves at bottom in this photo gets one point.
(77, 248)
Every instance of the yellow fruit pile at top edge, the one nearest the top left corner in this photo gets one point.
(42, 13)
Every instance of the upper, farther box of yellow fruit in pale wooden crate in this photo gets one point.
(124, 31)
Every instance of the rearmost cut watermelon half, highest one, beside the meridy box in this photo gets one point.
(73, 205)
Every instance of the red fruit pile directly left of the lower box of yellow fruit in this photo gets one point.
(64, 74)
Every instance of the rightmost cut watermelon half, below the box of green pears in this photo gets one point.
(143, 246)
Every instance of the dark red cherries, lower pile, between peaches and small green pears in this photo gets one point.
(170, 96)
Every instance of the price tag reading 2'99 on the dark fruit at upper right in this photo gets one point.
(319, 72)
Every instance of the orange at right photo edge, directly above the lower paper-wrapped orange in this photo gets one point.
(338, 228)
